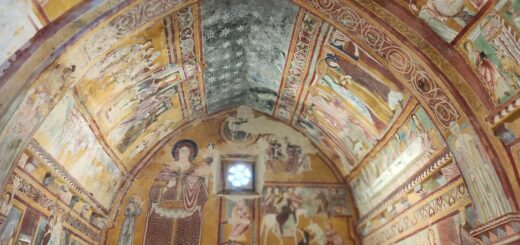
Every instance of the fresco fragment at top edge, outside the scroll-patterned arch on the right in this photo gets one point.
(446, 18)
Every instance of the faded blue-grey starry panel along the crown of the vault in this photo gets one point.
(244, 48)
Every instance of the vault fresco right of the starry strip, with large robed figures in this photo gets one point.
(350, 103)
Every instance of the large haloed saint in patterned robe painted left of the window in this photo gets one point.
(177, 198)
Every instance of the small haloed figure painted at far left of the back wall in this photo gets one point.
(132, 211)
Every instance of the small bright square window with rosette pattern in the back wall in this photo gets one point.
(238, 177)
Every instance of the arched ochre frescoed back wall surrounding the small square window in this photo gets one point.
(186, 164)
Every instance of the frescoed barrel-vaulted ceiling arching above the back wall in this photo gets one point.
(118, 77)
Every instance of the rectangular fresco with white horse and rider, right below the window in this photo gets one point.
(298, 213)
